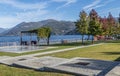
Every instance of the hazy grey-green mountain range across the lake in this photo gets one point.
(57, 27)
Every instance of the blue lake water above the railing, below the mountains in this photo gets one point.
(52, 38)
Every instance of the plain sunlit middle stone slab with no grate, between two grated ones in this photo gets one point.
(39, 63)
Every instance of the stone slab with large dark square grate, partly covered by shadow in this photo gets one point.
(82, 66)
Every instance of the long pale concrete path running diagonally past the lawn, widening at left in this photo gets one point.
(10, 60)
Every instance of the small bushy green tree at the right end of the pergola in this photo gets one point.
(44, 32)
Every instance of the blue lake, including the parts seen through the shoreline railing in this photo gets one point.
(53, 39)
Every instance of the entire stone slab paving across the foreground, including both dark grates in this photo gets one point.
(76, 66)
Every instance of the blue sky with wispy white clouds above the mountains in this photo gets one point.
(13, 12)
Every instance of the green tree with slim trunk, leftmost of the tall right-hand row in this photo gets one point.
(82, 24)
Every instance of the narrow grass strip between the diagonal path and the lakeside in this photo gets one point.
(58, 47)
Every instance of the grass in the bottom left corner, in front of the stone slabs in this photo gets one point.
(12, 71)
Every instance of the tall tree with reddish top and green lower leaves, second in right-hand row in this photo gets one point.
(95, 27)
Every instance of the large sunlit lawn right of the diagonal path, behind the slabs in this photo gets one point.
(107, 51)
